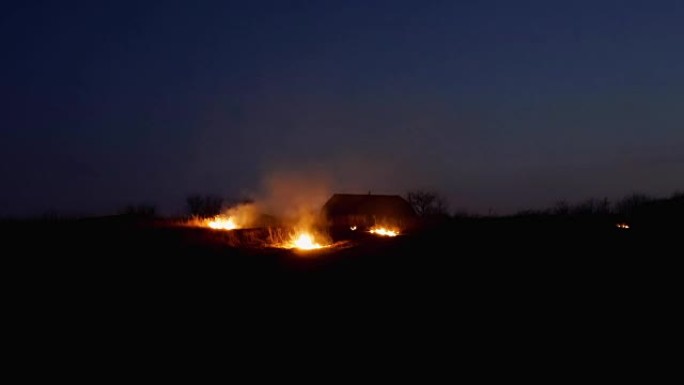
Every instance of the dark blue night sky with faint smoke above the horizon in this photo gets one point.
(498, 106)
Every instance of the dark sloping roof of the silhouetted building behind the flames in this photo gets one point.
(367, 204)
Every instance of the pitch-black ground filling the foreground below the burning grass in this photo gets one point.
(492, 297)
